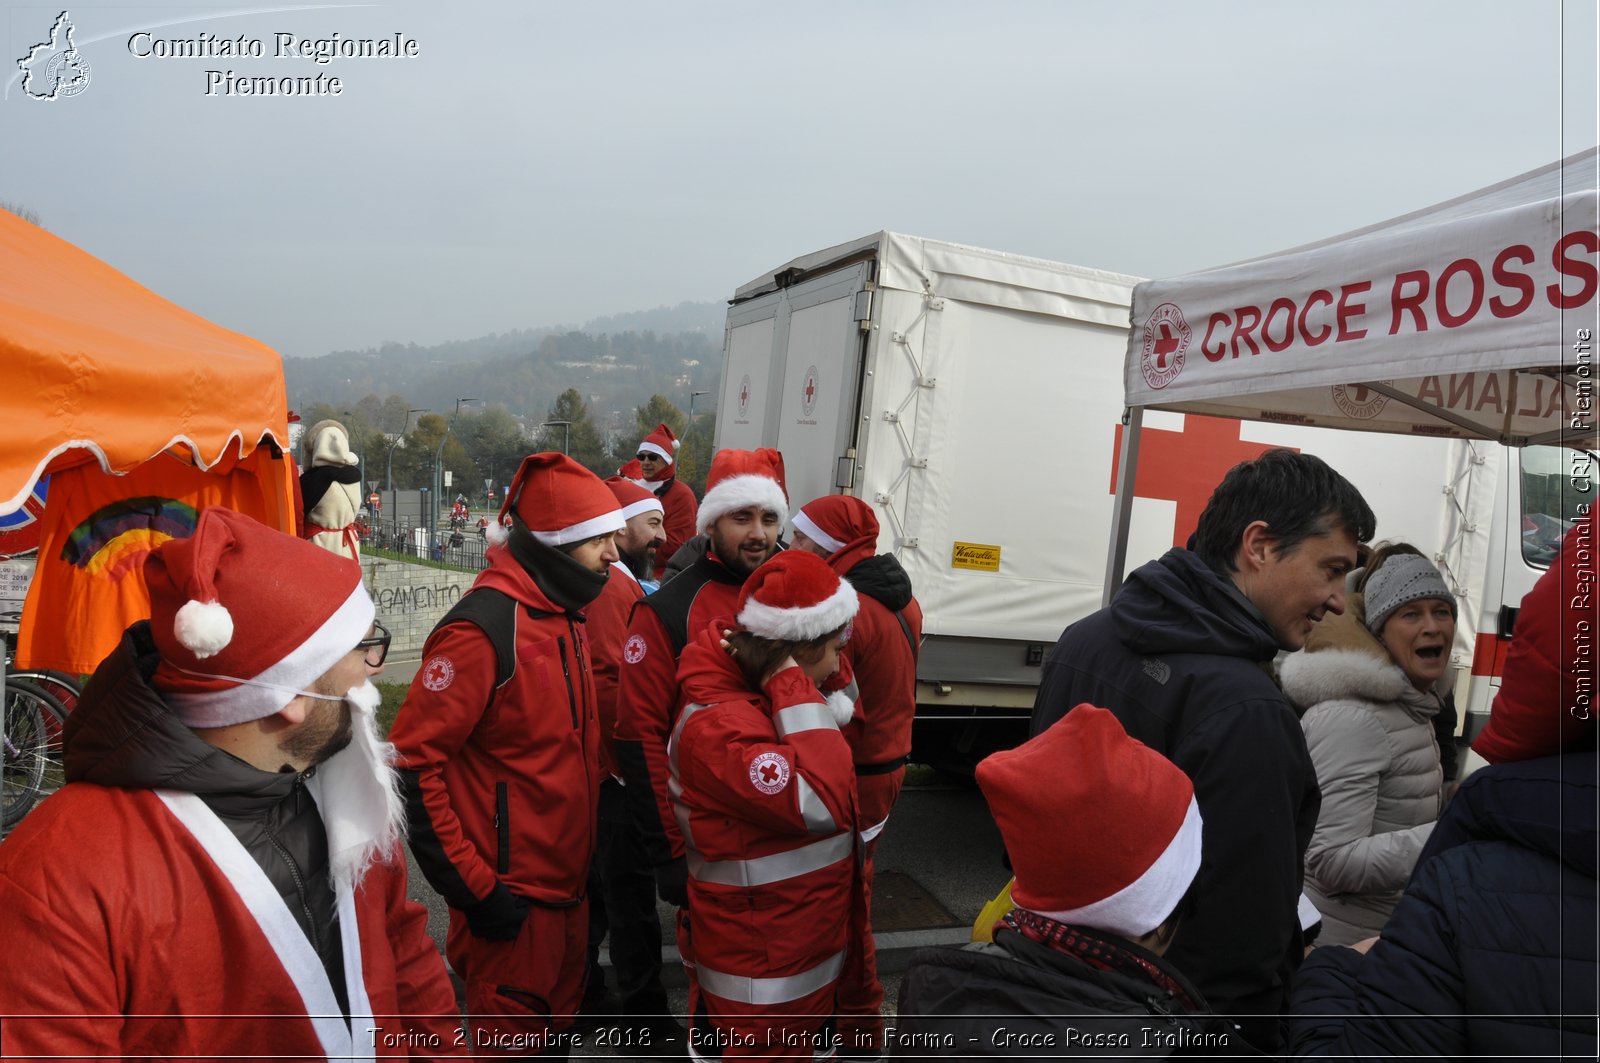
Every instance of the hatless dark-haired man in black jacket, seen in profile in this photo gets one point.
(1182, 657)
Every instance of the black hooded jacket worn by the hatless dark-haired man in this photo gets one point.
(1182, 659)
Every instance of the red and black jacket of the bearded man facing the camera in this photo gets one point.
(649, 691)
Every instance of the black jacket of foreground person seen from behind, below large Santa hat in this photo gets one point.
(1017, 1000)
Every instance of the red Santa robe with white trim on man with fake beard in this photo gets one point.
(137, 926)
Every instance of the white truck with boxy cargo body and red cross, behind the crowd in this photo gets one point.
(975, 401)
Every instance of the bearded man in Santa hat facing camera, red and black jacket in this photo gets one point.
(743, 515)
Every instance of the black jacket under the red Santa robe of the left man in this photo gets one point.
(122, 734)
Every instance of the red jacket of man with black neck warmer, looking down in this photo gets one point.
(508, 776)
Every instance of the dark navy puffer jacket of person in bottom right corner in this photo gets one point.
(1492, 952)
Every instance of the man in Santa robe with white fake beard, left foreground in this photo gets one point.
(222, 876)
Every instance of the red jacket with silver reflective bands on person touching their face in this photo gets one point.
(764, 790)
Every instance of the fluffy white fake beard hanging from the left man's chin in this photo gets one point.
(362, 806)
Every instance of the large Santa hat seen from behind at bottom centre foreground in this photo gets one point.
(1103, 832)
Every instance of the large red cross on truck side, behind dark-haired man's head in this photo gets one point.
(1186, 467)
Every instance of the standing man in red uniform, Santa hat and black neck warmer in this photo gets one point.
(500, 750)
